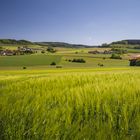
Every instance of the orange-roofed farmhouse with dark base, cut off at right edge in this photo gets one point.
(134, 60)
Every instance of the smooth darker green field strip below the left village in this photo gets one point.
(28, 60)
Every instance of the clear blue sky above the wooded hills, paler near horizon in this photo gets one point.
(91, 22)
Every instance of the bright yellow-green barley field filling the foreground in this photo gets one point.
(70, 104)
